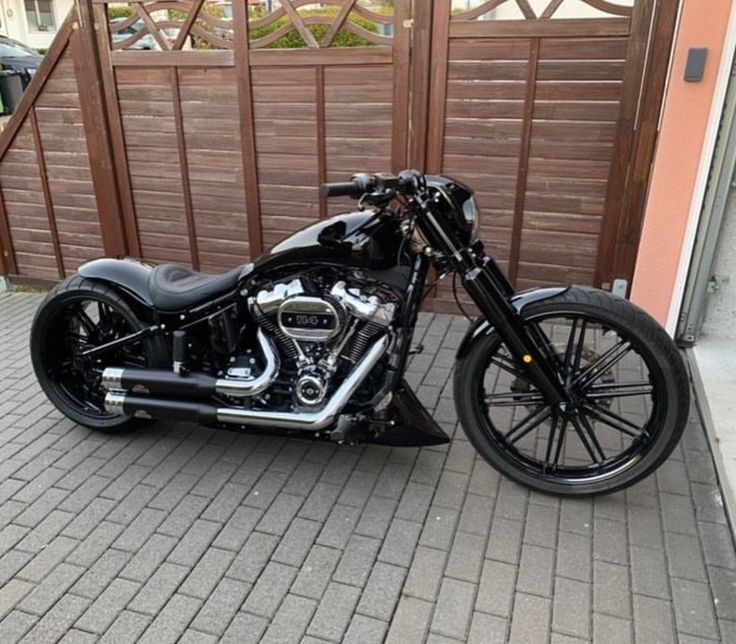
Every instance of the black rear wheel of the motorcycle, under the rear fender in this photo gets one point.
(79, 315)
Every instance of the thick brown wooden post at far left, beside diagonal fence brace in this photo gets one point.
(87, 69)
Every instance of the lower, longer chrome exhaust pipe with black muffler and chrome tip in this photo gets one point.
(117, 402)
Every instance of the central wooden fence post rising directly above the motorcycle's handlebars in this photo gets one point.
(421, 47)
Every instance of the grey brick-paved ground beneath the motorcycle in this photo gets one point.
(182, 532)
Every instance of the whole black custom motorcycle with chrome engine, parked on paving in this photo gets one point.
(567, 390)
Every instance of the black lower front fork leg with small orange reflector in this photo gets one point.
(496, 308)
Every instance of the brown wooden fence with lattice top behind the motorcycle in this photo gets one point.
(208, 154)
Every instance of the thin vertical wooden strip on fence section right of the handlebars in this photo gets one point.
(523, 171)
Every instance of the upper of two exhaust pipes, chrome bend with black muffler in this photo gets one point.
(198, 385)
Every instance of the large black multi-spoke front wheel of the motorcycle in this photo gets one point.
(627, 406)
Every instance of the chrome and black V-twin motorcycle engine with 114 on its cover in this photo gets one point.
(322, 328)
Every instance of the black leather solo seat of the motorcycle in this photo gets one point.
(173, 288)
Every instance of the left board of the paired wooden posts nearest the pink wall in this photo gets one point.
(624, 140)
